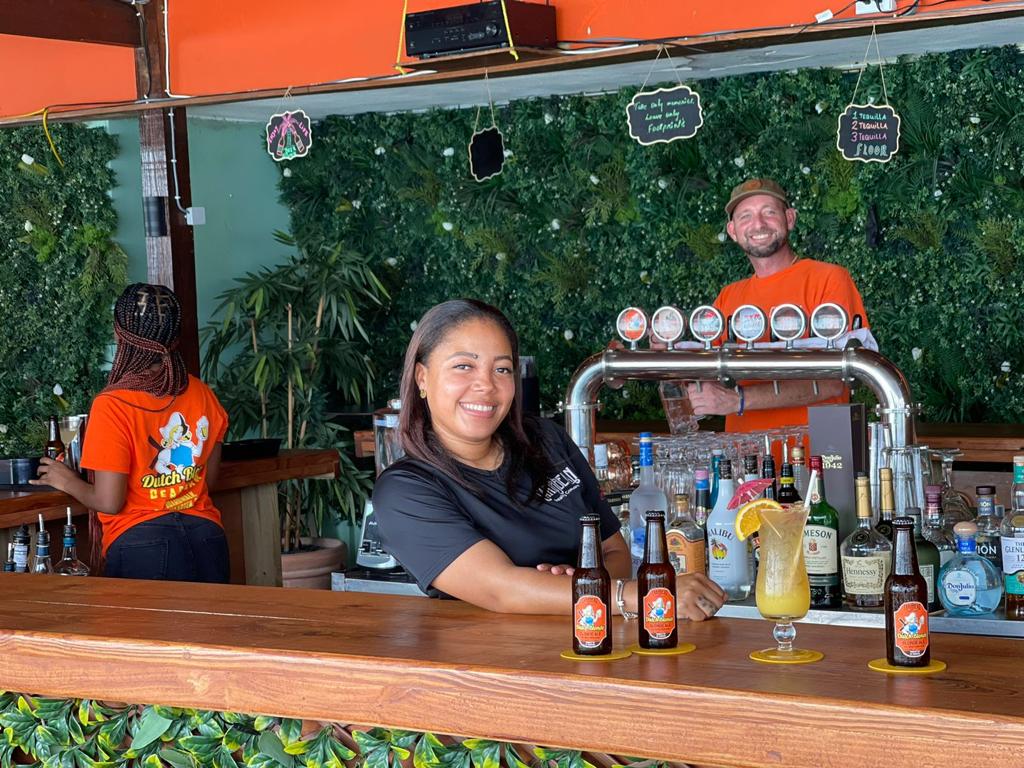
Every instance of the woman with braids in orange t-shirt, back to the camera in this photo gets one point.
(154, 448)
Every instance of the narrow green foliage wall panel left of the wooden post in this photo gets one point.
(61, 274)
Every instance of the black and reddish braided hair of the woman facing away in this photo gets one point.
(148, 324)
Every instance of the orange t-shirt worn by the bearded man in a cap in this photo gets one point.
(807, 284)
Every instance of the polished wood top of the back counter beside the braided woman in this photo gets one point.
(19, 507)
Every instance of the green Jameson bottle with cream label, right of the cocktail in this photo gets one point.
(822, 543)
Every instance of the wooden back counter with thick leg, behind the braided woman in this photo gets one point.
(246, 495)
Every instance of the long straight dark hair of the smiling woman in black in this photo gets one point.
(418, 437)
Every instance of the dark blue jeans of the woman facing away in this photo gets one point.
(175, 547)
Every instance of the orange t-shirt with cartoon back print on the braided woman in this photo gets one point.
(162, 447)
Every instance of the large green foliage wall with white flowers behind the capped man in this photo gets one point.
(583, 222)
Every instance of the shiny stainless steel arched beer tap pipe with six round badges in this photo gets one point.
(730, 365)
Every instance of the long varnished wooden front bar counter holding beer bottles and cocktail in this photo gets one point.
(450, 668)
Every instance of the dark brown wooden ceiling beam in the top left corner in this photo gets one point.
(106, 22)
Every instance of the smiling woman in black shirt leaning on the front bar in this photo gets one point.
(487, 503)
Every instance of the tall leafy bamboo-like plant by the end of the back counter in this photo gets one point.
(284, 343)
